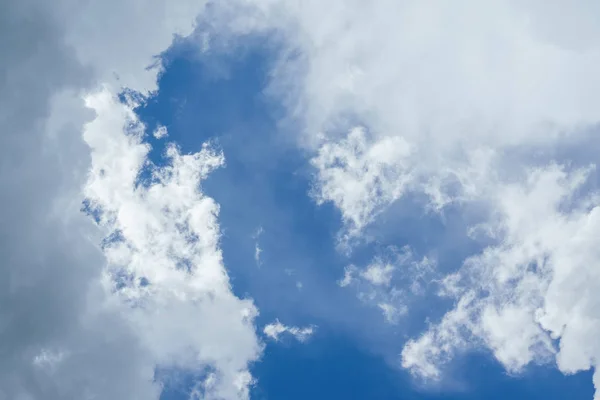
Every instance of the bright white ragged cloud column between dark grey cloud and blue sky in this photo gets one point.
(167, 246)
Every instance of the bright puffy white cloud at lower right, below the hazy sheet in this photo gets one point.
(535, 286)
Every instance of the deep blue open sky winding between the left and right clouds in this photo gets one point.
(219, 96)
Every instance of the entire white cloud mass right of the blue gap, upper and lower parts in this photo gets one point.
(470, 105)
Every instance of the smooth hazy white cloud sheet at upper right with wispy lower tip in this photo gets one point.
(433, 83)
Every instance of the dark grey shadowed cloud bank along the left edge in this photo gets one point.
(58, 337)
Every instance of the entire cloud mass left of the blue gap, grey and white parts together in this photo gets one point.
(65, 335)
